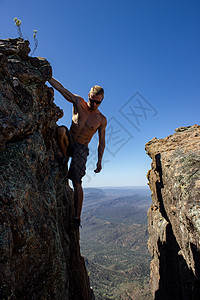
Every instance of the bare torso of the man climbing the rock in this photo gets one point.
(85, 122)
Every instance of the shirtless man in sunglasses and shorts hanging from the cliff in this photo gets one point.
(86, 120)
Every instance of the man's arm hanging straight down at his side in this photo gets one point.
(101, 145)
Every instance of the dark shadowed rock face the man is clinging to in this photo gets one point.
(39, 252)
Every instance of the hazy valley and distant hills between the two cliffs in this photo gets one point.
(114, 241)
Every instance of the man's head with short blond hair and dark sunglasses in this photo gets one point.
(95, 96)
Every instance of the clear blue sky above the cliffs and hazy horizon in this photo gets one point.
(146, 55)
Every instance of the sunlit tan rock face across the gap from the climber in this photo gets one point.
(174, 217)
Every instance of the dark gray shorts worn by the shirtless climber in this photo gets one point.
(78, 164)
